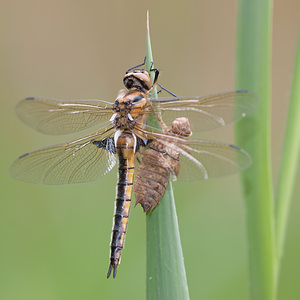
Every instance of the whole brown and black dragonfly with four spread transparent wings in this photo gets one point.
(122, 132)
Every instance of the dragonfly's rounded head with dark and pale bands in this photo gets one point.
(138, 80)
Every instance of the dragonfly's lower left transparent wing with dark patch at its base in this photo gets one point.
(78, 161)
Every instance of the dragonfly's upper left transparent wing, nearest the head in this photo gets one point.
(52, 116)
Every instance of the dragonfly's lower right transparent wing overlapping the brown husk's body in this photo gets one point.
(202, 159)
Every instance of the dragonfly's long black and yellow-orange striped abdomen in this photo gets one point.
(125, 146)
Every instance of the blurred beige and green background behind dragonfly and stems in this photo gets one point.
(55, 239)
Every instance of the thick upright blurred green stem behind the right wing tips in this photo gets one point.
(253, 69)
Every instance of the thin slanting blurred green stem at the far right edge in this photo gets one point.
(290, 159)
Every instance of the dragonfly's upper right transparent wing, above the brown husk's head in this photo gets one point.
(206, 112)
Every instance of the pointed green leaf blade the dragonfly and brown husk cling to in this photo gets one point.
(166, 277)
